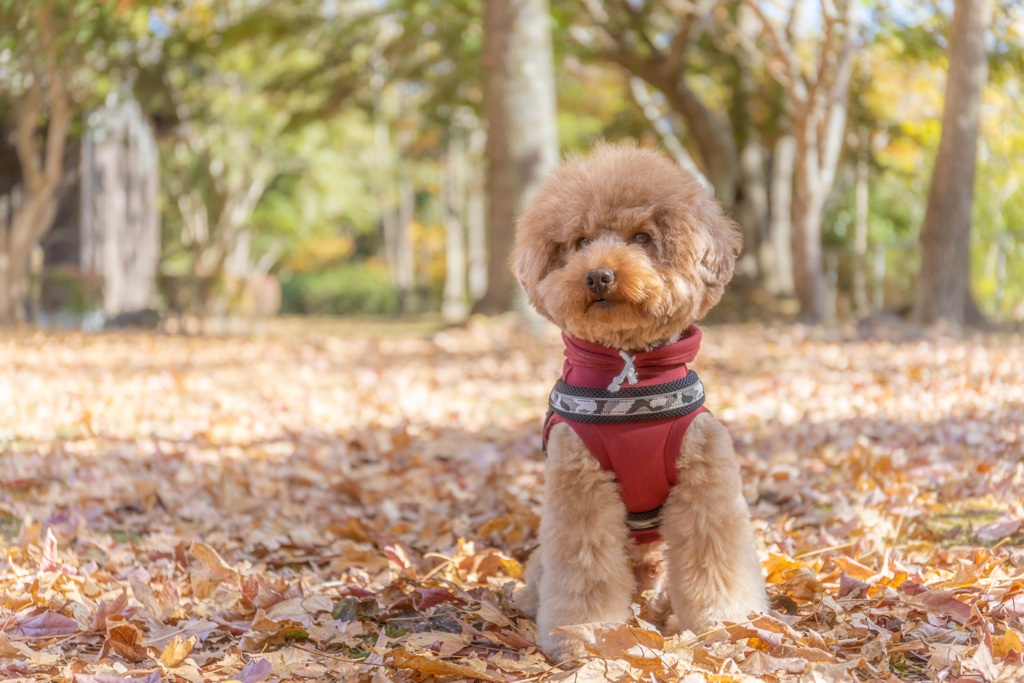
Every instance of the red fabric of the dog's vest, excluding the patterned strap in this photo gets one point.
(643, 455)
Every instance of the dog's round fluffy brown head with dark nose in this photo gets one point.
(624, 248)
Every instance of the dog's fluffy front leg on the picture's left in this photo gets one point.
(587, 576)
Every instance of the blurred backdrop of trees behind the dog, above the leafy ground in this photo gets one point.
(195, 164)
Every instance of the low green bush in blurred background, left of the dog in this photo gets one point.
(354, 288)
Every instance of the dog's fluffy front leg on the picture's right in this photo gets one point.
(714, 573)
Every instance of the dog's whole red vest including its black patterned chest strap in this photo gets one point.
(635, 432)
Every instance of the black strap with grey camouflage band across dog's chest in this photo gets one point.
(586, 405)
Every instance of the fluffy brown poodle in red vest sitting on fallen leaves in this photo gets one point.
(625, 251)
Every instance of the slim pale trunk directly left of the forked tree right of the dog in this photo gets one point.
(777, 260)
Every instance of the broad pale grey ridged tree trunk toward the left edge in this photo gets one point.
(120, 218)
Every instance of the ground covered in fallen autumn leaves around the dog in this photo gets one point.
(357, 504)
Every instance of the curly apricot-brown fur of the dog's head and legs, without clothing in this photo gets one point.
(584, 569)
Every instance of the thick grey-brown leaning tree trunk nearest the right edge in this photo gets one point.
(945, 281)
